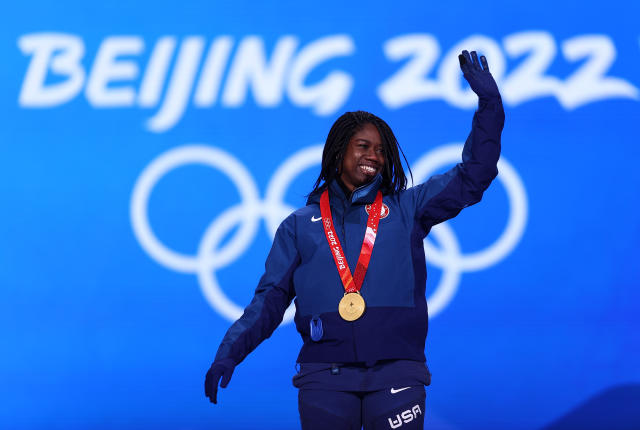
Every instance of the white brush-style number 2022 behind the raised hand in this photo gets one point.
(527, 81)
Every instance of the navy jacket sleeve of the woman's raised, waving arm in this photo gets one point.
(443, 196)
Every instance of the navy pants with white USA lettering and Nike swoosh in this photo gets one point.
(397, 408)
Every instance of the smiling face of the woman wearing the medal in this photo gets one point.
(363, 159)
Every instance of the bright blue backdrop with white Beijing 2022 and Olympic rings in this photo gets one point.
(148, 151)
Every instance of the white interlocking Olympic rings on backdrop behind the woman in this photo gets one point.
(248, 213)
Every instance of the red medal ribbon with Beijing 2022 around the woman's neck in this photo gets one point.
(351, 284)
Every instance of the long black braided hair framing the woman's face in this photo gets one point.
(393, 176)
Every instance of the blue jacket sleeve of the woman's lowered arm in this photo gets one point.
(273, 295)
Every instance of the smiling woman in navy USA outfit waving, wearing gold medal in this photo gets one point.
(364, 332)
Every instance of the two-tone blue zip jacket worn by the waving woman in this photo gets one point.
(300, 265)
